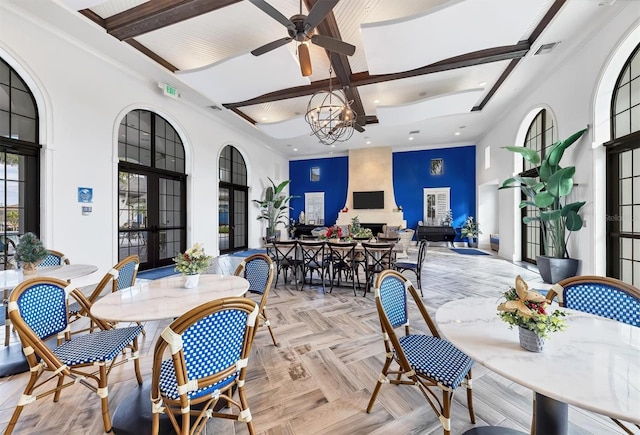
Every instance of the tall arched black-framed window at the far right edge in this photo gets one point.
(623, 176)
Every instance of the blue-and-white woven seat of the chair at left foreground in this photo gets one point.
(97, 347)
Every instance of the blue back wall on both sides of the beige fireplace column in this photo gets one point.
(411, 174)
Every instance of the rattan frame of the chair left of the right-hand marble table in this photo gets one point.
(405, 374)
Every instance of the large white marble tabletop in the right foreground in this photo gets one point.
(594, 364)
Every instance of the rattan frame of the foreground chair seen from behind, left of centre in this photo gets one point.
(171, 339)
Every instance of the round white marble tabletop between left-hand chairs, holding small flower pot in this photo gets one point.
(166, 298)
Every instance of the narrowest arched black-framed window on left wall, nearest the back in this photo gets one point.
(233, 195)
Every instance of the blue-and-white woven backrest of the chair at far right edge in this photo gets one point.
(603, 300)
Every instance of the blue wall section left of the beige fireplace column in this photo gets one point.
(334, 178)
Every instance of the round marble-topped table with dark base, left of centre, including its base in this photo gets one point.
(160, 299)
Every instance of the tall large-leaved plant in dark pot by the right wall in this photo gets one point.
(547, 192)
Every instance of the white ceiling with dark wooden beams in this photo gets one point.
(425, 73)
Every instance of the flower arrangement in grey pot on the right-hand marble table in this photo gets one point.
(527, 309)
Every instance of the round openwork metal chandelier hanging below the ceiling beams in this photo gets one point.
(329, 116)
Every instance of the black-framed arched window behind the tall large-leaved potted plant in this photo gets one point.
(541, 135)
